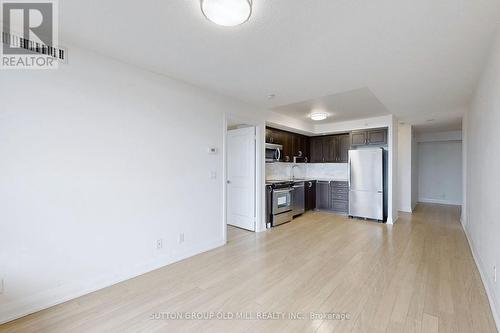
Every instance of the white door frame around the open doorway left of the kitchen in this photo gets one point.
(259, 187)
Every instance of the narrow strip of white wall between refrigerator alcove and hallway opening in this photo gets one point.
(405, 168)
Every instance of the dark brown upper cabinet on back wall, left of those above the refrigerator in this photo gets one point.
(329, 149)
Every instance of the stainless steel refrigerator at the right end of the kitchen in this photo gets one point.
(366, 183)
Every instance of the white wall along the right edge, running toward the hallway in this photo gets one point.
(483, 177)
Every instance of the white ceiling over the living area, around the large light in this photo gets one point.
(420, 59)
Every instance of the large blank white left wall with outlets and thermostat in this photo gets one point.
(99, 160)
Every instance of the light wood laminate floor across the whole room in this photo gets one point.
(415, 276)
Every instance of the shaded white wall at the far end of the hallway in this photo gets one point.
(440, 172)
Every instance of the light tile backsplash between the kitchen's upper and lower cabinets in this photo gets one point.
(307, 170)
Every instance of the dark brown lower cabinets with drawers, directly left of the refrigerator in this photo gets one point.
(332, 196)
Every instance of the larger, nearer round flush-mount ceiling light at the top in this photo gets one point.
(228, 13)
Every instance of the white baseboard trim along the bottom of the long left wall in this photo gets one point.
(64, 293)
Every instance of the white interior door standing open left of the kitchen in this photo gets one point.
(241, 178)
